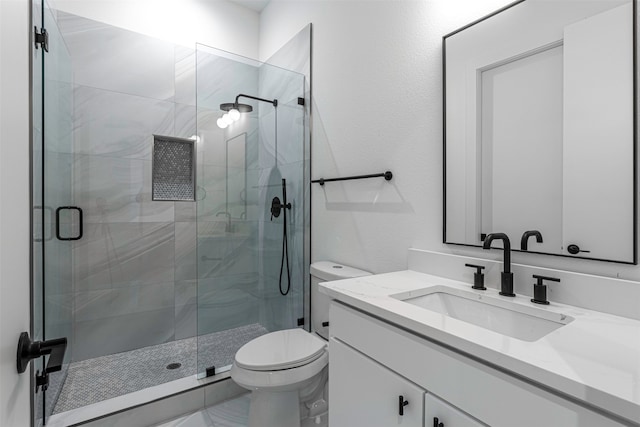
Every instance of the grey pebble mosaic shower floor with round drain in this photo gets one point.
(101, 378)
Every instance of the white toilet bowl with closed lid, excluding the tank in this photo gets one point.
(283, 369)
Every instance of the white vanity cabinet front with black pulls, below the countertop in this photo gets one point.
(372, 362)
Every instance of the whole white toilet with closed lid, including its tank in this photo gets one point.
(287, 371)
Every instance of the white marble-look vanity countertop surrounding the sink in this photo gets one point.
(595, 358)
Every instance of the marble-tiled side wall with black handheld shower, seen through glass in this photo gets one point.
(281, 155)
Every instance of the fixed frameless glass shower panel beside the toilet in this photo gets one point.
(245, 286)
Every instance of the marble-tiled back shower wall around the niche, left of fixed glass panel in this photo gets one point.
(135, 270)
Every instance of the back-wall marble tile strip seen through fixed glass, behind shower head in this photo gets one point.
(228, 242)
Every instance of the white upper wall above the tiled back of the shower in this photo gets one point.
(217, 23)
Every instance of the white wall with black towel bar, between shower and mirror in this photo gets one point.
(377, 94)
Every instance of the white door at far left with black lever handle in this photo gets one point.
(14, 207)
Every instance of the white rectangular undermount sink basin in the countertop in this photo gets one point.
(493, 313)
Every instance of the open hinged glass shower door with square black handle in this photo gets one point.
(55, 221)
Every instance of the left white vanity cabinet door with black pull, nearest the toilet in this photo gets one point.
(364, 393)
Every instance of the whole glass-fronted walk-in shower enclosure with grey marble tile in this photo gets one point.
(145, 290)
